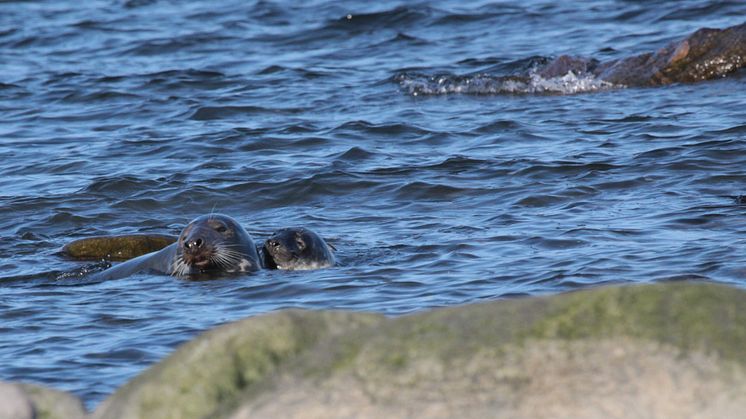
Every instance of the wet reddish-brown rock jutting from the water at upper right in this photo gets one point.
(706, 54)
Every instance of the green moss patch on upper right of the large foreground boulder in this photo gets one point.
(689, 316)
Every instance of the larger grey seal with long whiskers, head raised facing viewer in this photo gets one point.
(211, 244)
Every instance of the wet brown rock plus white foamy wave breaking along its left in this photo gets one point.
(704, 55)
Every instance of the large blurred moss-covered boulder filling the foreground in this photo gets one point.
(653, 351)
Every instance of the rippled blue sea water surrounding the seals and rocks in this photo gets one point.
(137, 116)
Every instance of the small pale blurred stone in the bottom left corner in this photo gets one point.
(21, 401)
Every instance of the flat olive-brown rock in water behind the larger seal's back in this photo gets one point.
(122, 247)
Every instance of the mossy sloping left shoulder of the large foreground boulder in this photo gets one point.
(209, 373)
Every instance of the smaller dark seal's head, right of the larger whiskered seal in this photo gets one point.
(297, 249)
